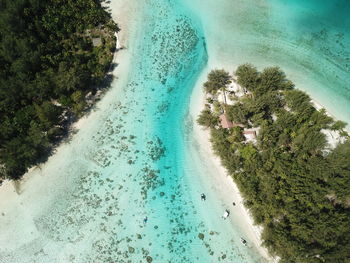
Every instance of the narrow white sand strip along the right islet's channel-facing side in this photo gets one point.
(225, 185)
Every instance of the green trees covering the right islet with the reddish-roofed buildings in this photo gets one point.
(295, 184)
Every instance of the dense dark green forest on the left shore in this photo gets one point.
(48, 66)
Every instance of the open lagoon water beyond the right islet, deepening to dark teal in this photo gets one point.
(310, 40)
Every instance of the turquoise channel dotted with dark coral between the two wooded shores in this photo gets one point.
(130, 163)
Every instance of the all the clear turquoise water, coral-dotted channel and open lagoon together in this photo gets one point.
(136, 158)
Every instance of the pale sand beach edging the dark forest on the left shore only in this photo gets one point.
(41, 184)
